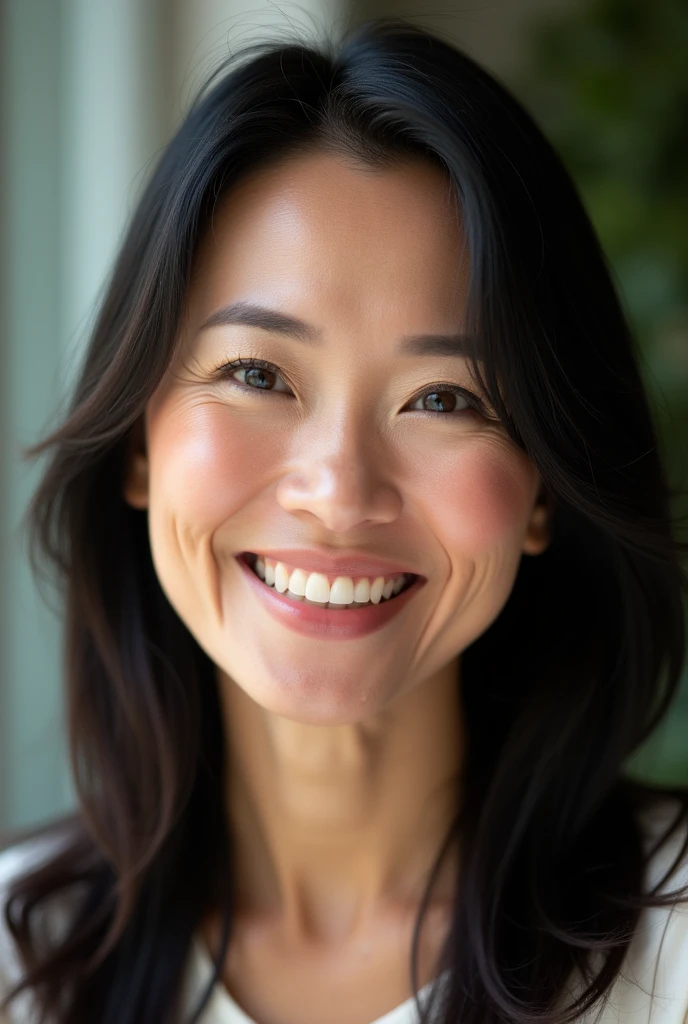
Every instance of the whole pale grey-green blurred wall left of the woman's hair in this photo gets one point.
(82, 114)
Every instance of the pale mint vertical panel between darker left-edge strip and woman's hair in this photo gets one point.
(114, 104)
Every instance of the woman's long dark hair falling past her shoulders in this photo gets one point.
(577, 671)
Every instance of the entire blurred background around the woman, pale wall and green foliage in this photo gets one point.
(93, 90)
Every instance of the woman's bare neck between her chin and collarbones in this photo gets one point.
(333, 826)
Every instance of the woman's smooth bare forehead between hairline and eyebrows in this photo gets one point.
(319, 231)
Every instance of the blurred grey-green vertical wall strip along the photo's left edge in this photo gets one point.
(32, 776)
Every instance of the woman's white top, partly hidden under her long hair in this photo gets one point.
(653, 988)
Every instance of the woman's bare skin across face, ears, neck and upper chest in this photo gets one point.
(346, 757)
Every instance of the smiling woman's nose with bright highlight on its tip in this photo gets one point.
(339, 474)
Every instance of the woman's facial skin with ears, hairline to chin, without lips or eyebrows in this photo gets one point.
(337, 450)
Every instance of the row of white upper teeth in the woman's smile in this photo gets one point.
(317, 587)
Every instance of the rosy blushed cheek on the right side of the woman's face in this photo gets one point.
(483, 497)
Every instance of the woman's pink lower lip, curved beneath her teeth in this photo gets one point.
(328, 624)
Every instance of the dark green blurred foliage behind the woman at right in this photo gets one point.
(609, 83)
